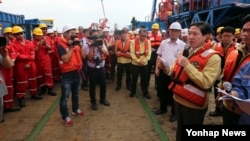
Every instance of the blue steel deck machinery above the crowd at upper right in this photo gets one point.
(215, 12)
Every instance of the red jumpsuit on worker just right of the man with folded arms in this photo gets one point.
(43, 66)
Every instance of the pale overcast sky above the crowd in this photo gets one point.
(80, 12)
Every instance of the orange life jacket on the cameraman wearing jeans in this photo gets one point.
(75, 62)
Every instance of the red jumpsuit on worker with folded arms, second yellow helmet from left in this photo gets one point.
(25, 77)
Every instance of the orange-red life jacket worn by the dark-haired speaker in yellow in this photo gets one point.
(183, 86)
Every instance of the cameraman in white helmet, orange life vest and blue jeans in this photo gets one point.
(71, 55)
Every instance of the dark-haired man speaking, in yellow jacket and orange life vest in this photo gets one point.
(193, 78)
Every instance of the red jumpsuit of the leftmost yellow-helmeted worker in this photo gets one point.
(8, 100)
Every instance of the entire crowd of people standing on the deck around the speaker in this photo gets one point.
(188, 64)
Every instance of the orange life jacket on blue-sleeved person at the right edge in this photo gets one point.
(235, 61)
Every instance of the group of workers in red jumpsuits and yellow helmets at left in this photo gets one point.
(34, 66)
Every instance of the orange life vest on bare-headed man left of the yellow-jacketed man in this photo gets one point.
(123, 51)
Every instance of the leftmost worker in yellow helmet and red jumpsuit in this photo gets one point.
(8, 100)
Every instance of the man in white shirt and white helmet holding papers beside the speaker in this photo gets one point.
(168, 52)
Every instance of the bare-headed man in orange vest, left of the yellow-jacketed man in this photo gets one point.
(122, 49)
